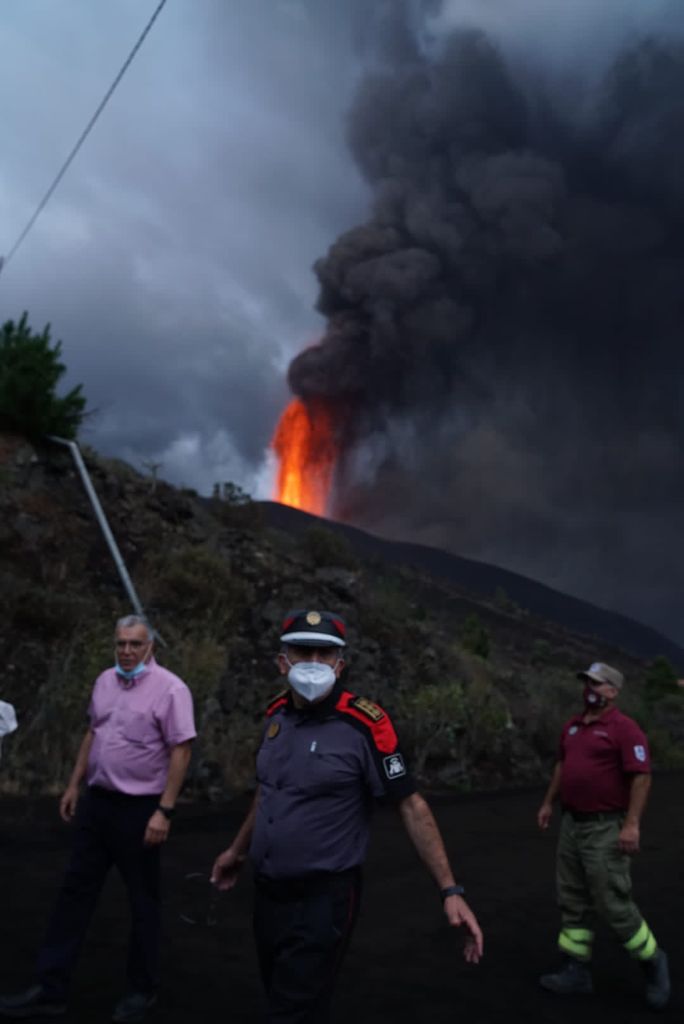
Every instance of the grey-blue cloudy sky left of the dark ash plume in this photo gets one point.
(175, 260)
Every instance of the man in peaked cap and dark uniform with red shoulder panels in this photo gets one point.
(325, 755)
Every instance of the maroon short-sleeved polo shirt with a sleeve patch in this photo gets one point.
(598, 760)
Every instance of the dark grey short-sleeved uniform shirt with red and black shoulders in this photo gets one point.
(319, 772)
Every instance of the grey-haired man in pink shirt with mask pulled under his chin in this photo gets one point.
(134, 757)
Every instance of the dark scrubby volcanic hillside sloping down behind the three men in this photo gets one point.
(478, 666)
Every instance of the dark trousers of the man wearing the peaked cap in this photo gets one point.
(303, 929)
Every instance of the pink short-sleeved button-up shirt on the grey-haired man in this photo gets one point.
(136, 724)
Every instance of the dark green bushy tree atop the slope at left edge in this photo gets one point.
(30, 370)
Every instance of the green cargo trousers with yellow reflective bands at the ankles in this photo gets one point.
(593, 879)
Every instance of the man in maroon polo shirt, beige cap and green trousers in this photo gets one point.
(603, 779)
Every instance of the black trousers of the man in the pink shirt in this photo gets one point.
(109, 831)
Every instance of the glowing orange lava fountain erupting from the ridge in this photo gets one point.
(305, 444)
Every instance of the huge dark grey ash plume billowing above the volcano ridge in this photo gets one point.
(503, 343)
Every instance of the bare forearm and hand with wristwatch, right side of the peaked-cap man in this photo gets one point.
(424, 834)
